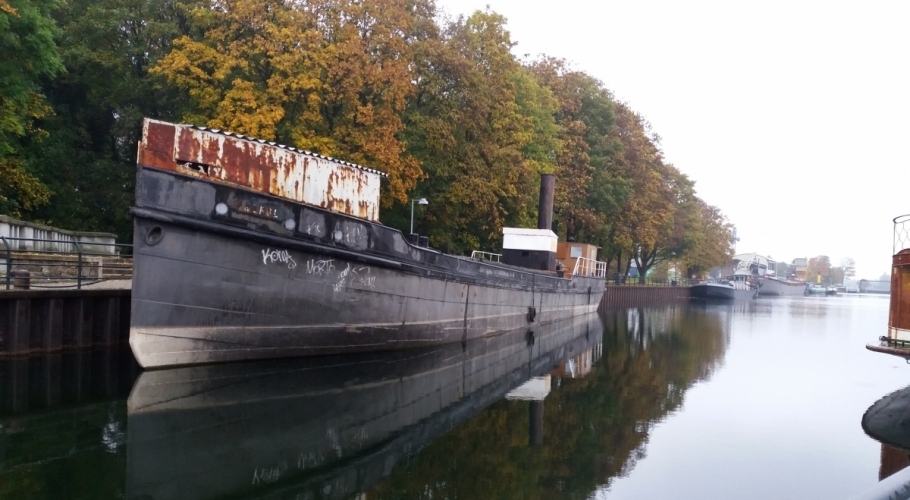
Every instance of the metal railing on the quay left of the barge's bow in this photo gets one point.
(55, 267)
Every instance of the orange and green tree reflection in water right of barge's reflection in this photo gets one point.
(595, 427)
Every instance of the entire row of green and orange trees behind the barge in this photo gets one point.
(443, 106)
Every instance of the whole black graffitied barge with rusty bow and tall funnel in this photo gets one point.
(247, 249)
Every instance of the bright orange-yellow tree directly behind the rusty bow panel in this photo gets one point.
(324, 75)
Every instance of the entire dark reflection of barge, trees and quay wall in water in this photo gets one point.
(558, 414)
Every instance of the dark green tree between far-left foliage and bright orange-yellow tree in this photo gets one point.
(87, 161)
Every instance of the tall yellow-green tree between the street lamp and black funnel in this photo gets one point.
(483, 130)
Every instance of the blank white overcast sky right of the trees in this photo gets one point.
(790, 116)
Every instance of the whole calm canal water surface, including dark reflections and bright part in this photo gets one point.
(753, 400)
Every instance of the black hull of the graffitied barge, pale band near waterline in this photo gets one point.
(211, 288)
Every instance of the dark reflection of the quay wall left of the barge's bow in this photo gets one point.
(63, 424)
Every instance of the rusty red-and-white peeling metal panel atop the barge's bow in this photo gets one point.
(261, 166)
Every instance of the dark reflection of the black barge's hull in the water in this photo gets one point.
(325, 428)
